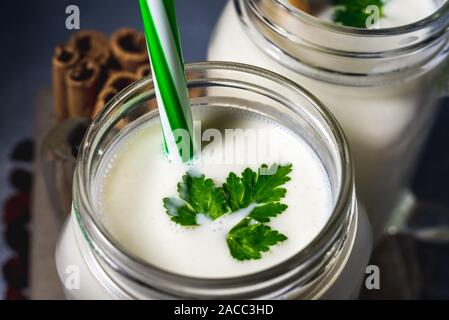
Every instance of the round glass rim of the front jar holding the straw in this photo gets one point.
(136, 269)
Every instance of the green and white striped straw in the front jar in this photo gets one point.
(167, 64)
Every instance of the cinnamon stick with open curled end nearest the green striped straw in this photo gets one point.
(129, 48)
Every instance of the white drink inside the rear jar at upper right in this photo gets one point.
(385, 125)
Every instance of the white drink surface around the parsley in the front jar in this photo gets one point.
(139, 176)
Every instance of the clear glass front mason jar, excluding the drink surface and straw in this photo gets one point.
(93, 265)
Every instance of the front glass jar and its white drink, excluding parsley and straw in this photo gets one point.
(119, 243)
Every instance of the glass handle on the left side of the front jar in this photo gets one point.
(58, 156)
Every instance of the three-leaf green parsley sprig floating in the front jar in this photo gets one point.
(251, 236)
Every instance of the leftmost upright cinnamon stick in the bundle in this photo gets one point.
(64, 59)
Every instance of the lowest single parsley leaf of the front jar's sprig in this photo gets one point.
(247, 241)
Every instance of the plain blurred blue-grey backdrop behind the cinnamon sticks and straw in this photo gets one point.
(29, 32)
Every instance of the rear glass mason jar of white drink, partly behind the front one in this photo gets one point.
(381, 84)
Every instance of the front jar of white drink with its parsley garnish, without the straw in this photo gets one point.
(268, 198)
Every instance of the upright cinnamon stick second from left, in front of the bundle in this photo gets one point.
(82, 88)
